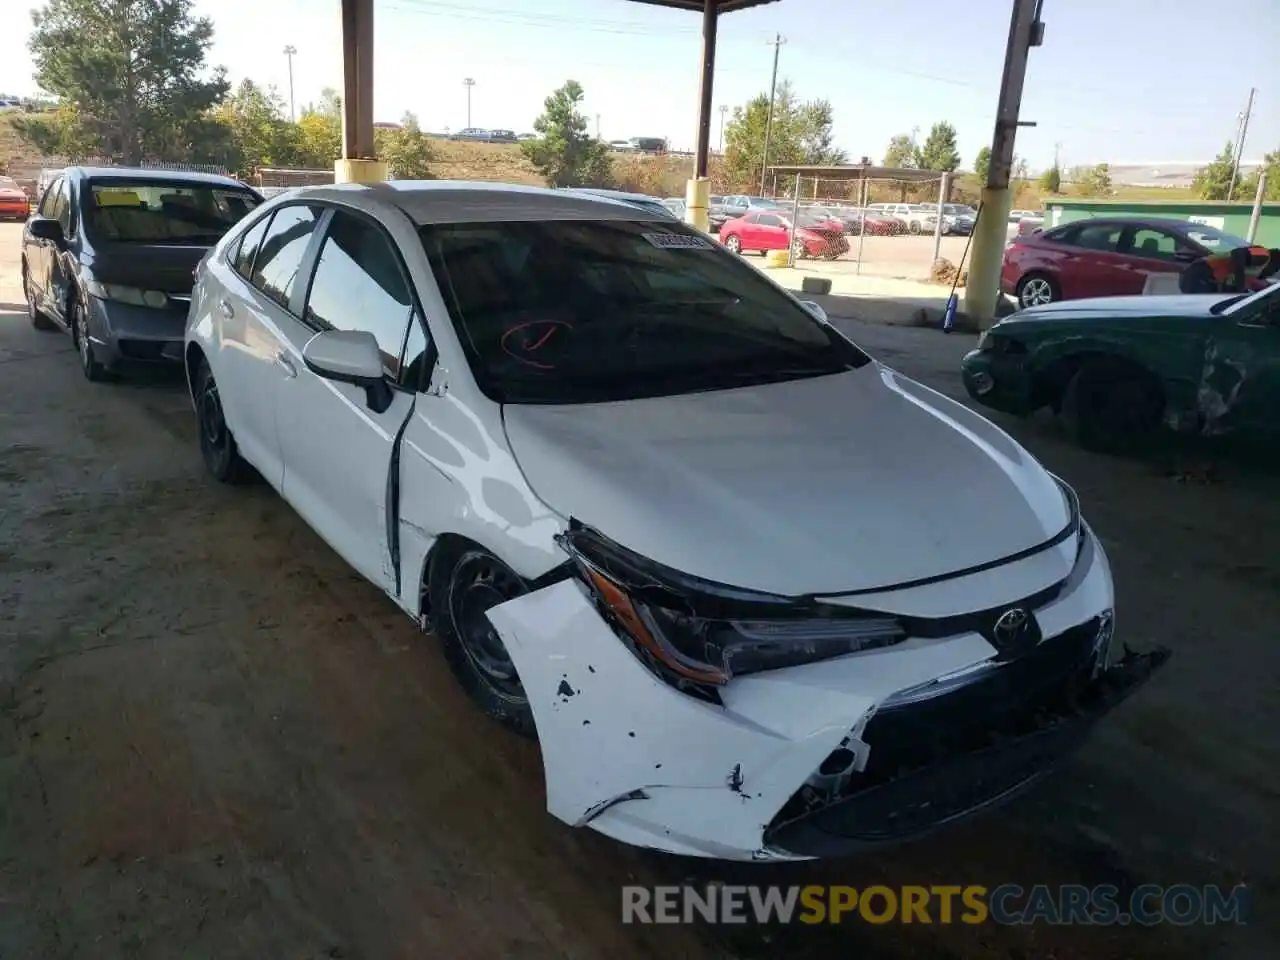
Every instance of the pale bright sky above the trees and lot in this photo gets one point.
(1118, 81)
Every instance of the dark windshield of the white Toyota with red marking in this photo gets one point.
(586, 312)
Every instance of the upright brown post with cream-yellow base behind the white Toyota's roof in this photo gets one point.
(359, 162)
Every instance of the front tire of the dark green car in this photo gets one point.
(1113, 406)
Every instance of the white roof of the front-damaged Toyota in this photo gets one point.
(470, 202)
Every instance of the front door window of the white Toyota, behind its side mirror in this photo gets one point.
(360, 286)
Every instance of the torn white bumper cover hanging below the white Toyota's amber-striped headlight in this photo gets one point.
(639, 761)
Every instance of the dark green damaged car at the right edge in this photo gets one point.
(1117, 369)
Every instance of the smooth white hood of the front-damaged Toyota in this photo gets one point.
(831, 484)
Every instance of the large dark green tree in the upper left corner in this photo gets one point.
(131, 74)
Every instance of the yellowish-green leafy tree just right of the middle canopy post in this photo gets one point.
(801, 134)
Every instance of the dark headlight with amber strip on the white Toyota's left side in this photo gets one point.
(692, 633)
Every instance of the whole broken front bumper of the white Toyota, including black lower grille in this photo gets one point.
(817, 760)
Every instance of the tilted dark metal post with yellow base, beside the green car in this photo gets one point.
(982, 292)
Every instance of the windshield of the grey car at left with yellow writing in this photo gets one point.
(141, 212)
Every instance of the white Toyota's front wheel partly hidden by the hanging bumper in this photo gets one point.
(465, 583)
